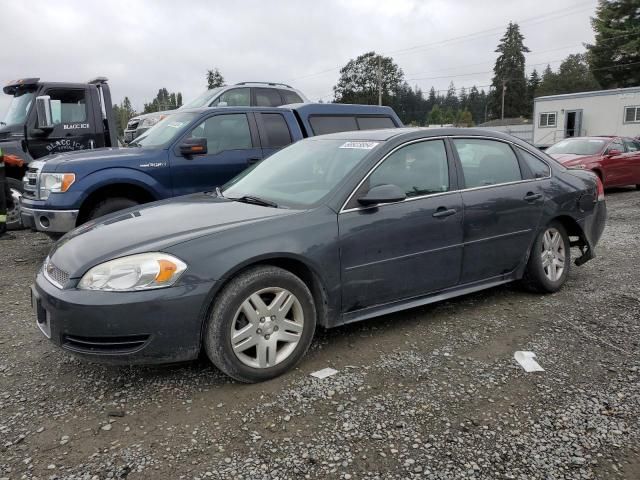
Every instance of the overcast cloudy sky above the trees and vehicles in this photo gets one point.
(142, 46)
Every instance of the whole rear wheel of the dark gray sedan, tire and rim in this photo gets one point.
(549, 261)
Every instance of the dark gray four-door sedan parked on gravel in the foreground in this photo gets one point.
(331, 230)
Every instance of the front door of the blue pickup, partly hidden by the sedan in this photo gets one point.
(232, 145)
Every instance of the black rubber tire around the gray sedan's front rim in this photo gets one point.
(217, 337)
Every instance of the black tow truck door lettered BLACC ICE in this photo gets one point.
(72, 125)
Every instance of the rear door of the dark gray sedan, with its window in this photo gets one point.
(502, 208)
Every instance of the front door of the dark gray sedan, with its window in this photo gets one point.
(404, 249)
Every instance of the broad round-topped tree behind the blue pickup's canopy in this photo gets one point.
(358, 82)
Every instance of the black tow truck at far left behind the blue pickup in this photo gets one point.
(46, 118)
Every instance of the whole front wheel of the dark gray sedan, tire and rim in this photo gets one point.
(261, 324)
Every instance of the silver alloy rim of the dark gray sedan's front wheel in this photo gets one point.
(267, 327)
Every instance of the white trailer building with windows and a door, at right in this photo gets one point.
(604, 112)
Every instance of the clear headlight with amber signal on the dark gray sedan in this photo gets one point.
(143, 271)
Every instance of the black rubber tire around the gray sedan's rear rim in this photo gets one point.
(535, 278)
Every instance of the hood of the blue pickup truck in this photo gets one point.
(122, 156)
